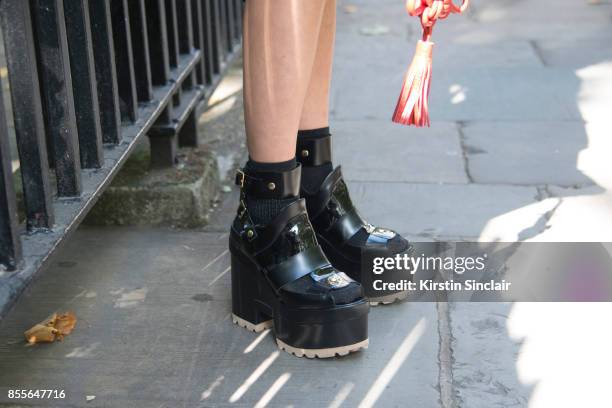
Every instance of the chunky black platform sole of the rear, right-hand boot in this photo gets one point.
(355, 271)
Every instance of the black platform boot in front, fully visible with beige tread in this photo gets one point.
(282, 279)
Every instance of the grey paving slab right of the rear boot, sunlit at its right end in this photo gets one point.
(446, 211)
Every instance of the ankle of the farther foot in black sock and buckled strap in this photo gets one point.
(314, 153)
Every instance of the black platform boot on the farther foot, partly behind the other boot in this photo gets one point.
(342, 233)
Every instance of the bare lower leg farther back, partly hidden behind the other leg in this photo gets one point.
(315, 113)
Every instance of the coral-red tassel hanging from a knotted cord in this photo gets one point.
(412, 106)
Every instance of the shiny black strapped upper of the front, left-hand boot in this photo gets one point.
(287, 250)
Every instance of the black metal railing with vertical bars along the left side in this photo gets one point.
(87, 79)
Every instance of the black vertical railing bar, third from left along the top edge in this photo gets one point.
(84, 82)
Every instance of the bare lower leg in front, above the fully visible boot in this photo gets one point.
(280, 44)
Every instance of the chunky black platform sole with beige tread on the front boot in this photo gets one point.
(303, 332)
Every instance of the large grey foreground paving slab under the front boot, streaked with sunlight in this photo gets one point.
(154, 329)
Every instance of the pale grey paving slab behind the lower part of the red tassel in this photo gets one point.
(501, 94)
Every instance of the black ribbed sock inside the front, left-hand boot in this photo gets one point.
(263, 210)
